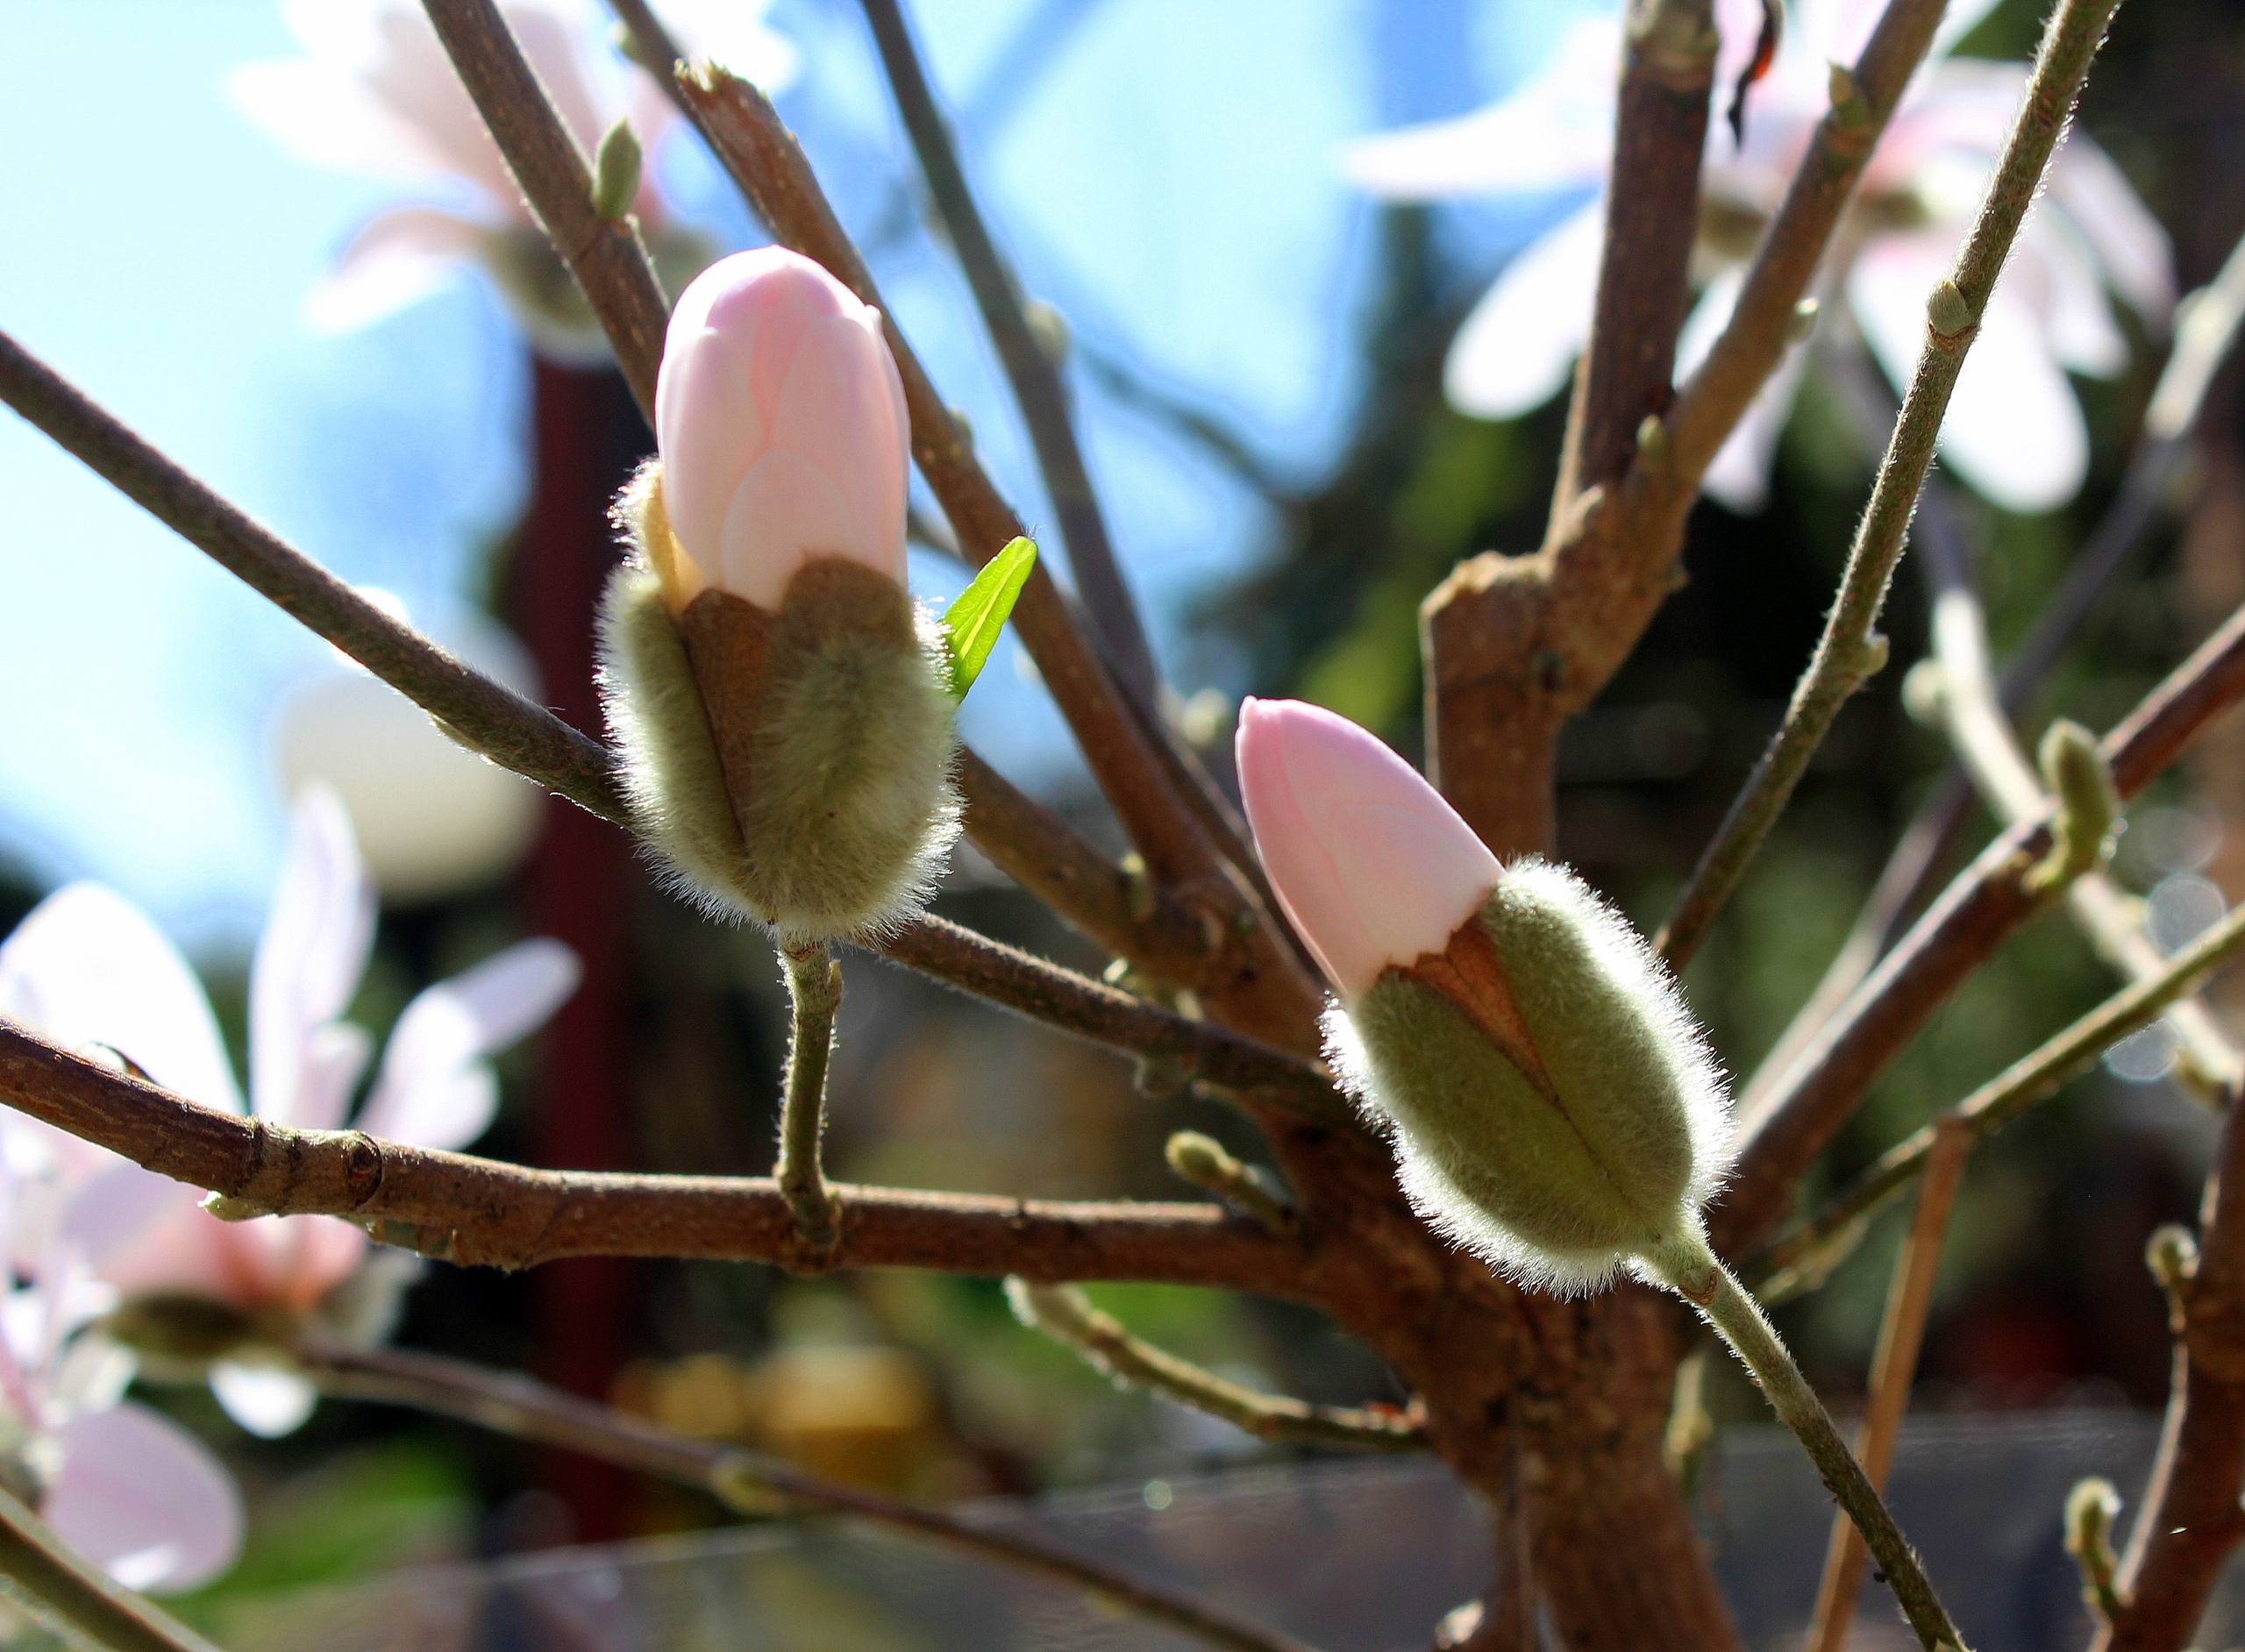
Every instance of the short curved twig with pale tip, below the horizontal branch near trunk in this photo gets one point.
(1067, 1316)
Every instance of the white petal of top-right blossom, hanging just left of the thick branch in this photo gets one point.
(1521, 340)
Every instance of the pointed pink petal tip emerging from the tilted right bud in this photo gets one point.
(1368, 861)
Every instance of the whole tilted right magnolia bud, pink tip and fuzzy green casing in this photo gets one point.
(1555, 1105)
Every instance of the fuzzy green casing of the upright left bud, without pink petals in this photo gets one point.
(843, 744)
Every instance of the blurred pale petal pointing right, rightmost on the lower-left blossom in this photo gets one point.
(434, 1087)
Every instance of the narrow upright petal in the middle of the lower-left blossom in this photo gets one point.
(311, 957)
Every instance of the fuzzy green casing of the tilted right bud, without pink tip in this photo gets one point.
(1568, 1123)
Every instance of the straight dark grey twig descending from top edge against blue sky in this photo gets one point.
(1027, 362)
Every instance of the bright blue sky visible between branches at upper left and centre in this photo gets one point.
(1164, 178)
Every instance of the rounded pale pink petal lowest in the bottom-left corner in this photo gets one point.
(145, 1500)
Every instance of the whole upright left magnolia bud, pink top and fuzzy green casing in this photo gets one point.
(780, 701)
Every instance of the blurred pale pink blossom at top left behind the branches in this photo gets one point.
(374, 93)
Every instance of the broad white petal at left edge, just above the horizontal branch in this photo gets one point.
(89, 969)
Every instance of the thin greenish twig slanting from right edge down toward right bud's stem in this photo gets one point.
(2022, 1085)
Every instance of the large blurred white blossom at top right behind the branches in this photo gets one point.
(2015, 430)
